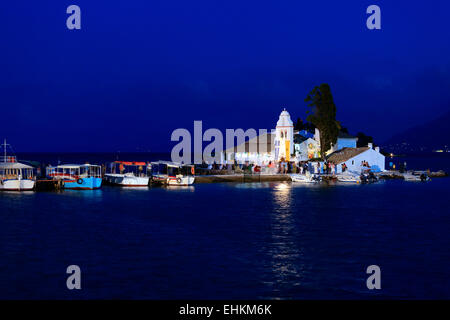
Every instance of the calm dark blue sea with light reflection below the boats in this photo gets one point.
(241, 241)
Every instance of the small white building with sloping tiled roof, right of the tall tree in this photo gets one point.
(354, 157)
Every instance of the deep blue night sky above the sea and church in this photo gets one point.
(137, 70)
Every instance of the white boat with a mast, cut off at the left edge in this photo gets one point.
(15, 176)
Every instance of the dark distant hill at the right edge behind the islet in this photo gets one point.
(433, 135)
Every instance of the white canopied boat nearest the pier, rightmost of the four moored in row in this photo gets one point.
(172, 174)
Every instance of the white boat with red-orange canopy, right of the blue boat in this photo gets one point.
(131, 174)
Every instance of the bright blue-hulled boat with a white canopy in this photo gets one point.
(77, 176)
